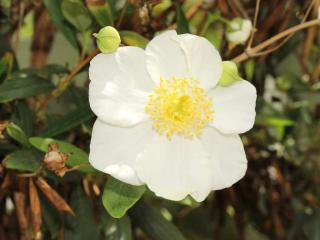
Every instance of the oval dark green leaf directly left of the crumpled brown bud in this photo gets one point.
(23, 160)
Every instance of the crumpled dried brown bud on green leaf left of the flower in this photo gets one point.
(56, 160)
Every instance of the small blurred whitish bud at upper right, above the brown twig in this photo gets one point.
(239, 30)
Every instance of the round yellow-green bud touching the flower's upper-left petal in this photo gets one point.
(108, 39)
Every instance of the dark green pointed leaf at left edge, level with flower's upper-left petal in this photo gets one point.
(19, 88)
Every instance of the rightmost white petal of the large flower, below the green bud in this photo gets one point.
(234, 107)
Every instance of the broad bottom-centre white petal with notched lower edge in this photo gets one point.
(175, 168)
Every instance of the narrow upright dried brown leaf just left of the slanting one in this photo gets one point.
(35, 210)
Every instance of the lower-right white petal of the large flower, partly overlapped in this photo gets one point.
(227, 155)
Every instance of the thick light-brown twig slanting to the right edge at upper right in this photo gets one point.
(252, 52)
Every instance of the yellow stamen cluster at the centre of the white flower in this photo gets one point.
(179, 106)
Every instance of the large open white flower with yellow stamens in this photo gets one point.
(164, 122)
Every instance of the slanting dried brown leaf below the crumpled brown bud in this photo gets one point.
(53, 196)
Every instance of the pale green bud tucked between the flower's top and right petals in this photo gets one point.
(230, 74)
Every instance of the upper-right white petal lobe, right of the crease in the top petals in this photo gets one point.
(203, 59)
